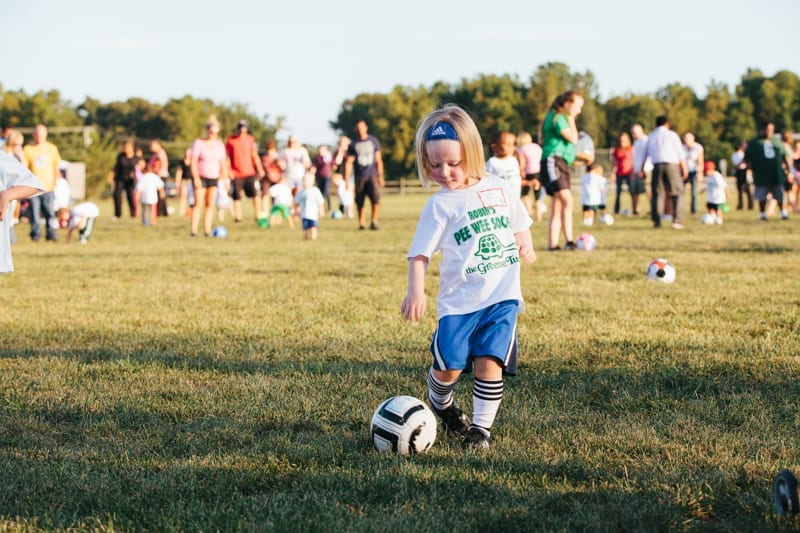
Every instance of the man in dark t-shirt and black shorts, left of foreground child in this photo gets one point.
(365, 161)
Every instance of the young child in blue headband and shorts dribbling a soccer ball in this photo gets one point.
(482, 229)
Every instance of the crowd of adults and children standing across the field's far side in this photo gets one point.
(216, 174)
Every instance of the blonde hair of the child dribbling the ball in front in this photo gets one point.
(472, 160)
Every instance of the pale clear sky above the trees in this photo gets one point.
(302, 59)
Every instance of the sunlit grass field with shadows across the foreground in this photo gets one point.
(153, 381)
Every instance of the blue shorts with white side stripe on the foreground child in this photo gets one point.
(490, 332)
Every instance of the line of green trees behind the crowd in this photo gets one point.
(720, 120)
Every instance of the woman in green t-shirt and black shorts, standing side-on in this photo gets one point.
(559, 135)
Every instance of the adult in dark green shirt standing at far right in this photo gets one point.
(765, 156)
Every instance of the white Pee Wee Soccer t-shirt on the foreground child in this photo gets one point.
(474, 229)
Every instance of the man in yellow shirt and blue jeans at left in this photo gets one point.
(43, 161)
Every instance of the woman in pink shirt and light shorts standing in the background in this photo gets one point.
(208, 166)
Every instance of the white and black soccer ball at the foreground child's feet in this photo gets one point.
(403, 425)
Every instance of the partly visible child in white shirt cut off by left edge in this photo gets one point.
(16, 183)
